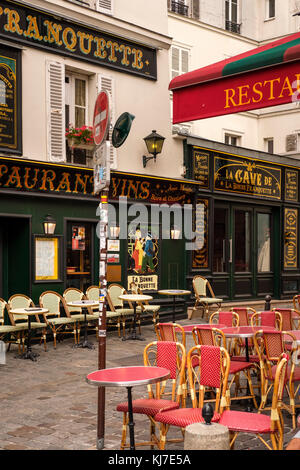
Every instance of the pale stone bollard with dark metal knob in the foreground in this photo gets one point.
(206, 436)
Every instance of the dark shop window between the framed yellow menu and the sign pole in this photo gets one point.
(79, 255)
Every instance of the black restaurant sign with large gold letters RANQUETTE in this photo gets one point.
(40, 29)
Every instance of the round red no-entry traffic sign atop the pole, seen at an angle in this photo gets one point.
(101, 117)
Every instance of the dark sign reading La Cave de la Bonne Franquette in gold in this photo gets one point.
(245, 176)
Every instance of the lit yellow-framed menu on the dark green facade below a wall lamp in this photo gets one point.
(46, 258)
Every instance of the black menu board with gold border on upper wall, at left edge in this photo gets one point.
(10, 134)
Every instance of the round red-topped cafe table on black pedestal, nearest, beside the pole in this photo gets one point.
(128, 377)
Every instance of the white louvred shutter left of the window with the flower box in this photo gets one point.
(56, 144)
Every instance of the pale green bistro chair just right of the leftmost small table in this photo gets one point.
(58, 325)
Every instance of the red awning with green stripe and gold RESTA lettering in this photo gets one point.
(265, 76)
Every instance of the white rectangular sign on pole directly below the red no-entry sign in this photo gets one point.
(102, 167)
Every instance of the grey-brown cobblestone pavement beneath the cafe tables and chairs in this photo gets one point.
(47, 404)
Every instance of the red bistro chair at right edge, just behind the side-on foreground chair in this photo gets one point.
(270, 347)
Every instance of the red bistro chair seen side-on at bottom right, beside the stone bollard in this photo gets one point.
(260, 424)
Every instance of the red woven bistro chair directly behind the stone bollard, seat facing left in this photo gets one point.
(209, 372)
